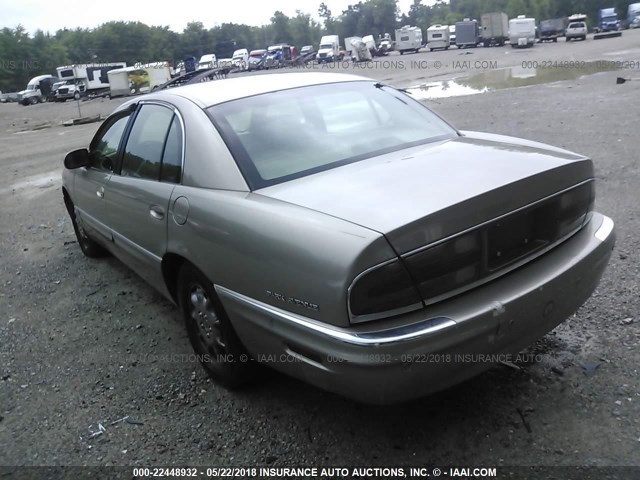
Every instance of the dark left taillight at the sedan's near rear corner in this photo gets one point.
(383, 291)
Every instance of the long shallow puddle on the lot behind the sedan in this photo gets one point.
(507, 78)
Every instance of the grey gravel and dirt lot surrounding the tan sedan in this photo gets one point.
(86, 342)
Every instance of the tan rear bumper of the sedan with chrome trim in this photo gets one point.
(429, 350)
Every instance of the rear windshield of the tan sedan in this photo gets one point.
(288, 134)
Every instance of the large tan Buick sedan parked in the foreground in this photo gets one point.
(334, 228)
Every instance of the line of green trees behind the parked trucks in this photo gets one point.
(23, 56)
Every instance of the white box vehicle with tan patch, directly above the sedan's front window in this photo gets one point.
(139, 79)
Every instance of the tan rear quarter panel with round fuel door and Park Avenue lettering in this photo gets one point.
(256, 245)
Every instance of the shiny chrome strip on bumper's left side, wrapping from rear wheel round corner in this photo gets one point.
(390, 336)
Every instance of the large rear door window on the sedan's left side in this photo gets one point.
(145, 145)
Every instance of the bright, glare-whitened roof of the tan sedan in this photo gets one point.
(207, 94)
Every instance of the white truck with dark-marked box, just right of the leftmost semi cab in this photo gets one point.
(86, 79)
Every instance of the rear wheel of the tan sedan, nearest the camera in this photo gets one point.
(210, 332)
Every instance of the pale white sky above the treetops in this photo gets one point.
(49, 15)
